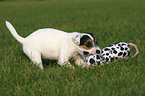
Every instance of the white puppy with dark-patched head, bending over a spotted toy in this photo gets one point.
(55, 45)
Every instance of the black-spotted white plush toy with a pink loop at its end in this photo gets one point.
(108, 54)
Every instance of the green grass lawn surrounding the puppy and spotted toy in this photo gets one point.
(110, 20)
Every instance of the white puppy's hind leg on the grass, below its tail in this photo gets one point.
(35, 57)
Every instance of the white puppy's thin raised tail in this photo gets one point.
(14, 33)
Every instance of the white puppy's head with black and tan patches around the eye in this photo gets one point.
(86, 43)
